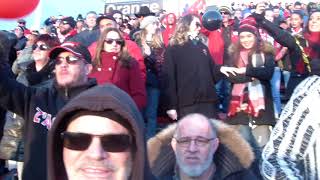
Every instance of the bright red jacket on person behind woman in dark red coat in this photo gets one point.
(134, 51)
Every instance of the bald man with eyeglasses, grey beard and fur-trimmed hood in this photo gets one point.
(204, 149)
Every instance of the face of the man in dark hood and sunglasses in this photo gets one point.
(107, 154)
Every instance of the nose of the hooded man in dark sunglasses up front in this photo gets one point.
(95, 150)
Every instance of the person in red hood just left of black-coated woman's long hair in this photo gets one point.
(170, 24)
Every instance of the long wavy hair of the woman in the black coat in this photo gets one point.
(180, 35)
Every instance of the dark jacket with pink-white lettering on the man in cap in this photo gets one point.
(38, 106)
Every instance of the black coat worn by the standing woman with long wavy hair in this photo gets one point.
(189, 75)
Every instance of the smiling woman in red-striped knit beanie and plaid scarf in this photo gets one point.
(251, 100)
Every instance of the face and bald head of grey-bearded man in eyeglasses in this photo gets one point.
(194, 146)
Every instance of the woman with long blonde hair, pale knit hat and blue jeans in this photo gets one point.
(151, 43)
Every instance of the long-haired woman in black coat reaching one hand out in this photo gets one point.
(189, 72)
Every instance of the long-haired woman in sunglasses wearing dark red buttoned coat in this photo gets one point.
(113, 64)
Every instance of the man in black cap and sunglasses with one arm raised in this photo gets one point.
(39, 106)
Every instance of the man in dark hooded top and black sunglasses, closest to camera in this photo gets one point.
(98, 135)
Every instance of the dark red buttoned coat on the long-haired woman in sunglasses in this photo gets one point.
(128, 79)
